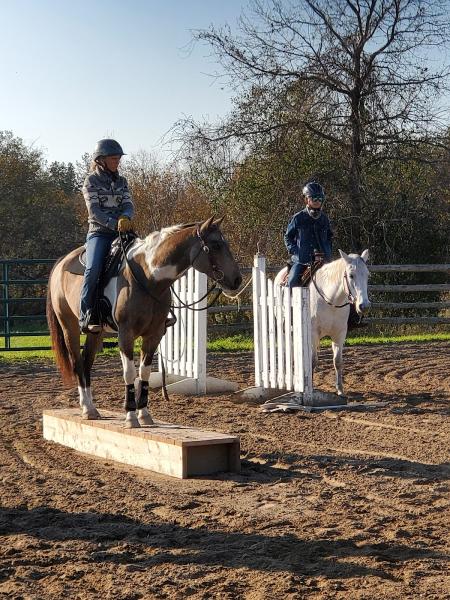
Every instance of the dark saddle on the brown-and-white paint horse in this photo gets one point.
(111, 269)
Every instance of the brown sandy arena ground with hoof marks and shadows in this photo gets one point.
(332, 505)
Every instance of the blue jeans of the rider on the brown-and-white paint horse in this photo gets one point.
(98, 244)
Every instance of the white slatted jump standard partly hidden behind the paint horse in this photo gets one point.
(183, 347)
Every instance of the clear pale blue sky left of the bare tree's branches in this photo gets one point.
(73, 72)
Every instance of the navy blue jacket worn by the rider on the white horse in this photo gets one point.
(305, 234)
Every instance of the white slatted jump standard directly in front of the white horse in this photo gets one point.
(282, 335)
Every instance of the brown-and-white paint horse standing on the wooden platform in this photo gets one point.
(140, 298)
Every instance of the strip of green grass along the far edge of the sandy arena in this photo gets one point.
(234, 343)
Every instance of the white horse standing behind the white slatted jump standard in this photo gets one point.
(333, 288)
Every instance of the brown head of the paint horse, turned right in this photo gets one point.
(212, 255)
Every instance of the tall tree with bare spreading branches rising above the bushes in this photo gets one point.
(352, 72)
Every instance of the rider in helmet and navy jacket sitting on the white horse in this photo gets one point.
(308, 233)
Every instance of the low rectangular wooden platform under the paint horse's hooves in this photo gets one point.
(170, 449)
